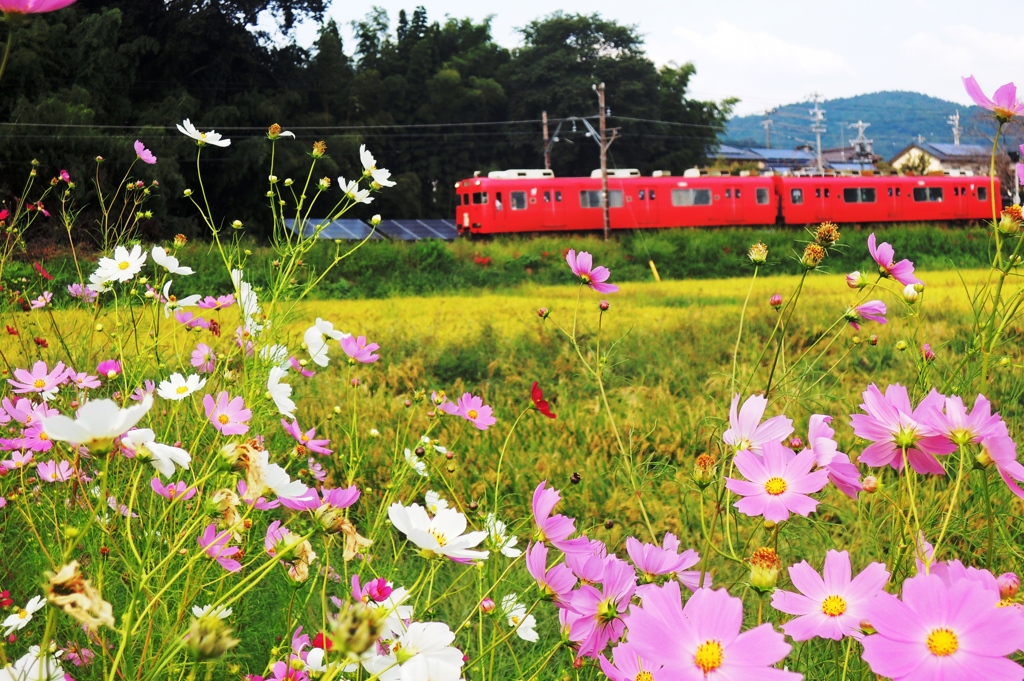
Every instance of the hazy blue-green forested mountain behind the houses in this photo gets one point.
(897, 118)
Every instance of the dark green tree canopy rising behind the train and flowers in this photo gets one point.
(435, 101)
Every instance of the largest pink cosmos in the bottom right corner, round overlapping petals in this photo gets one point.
(944, 631)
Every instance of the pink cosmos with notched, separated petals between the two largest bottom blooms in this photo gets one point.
(832, 605)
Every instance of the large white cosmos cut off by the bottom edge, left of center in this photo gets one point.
(423, 653)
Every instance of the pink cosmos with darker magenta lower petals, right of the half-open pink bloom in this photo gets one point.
(891, 424)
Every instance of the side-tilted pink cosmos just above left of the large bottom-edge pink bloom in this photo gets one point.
(602, 611)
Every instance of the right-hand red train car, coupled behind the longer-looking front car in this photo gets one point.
(809, 200)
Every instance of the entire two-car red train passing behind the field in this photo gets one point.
(522, 201)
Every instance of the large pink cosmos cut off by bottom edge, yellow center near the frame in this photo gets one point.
(703, 642)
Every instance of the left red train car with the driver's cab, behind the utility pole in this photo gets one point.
(523, 201)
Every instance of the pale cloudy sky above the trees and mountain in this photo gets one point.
(773, 53)
